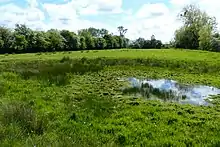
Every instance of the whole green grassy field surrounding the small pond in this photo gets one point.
(74, 99)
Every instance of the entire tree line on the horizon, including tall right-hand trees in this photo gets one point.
(199, 31)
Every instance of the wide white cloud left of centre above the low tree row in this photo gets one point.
(67, 15)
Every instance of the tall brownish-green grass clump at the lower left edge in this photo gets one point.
(24, 116)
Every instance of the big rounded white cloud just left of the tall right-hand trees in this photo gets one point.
(152, 19)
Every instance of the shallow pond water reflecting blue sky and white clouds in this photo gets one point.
(170, 90)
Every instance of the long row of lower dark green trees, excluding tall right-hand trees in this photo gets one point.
(25, 40)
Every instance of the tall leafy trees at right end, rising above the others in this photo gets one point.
(197, 31)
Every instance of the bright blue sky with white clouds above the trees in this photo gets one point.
(142, 18)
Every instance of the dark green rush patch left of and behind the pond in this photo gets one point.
(56, 72)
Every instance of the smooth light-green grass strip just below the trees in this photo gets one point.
(123, 53)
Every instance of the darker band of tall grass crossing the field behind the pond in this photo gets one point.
(83, 65)
